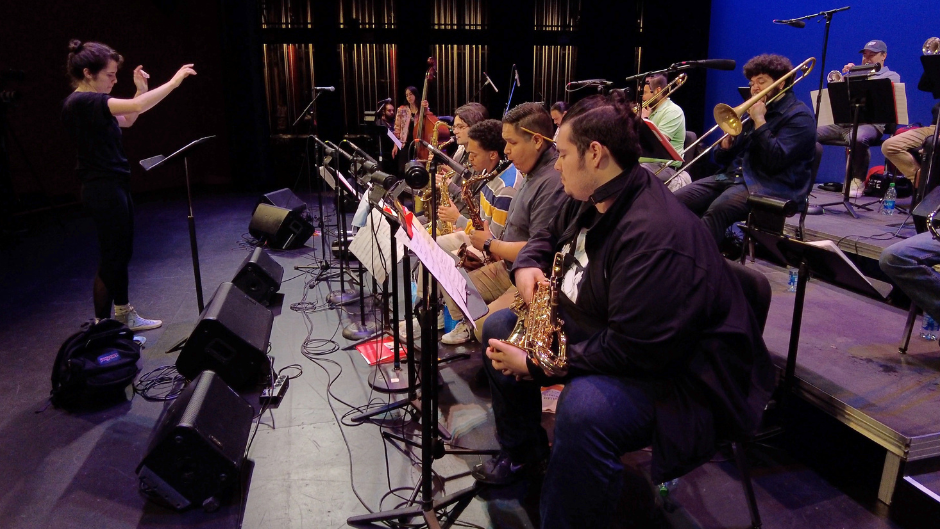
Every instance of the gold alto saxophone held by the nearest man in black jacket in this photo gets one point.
(538, 328)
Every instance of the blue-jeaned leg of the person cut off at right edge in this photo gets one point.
(909, 263)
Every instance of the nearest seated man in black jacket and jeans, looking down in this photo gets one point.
(656, 355)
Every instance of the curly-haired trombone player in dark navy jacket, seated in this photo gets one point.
(772, 156)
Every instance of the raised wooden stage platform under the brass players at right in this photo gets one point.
(848, 364)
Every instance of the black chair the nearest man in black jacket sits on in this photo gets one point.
(758, 293)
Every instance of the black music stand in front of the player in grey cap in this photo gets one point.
(859, 101)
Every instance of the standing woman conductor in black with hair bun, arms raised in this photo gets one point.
(94, 120)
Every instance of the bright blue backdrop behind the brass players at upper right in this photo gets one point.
(743, 29)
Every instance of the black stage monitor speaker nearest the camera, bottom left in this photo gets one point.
(196, 450)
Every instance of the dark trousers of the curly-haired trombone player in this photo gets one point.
(719, 200)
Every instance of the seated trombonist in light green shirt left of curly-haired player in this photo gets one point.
(669, 118)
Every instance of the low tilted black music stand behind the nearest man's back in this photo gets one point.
(825, 264)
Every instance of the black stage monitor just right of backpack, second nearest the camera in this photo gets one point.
(230, 338)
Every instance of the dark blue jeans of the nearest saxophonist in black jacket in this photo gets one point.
(598, 419)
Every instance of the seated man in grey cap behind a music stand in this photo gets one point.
(874, 51)
